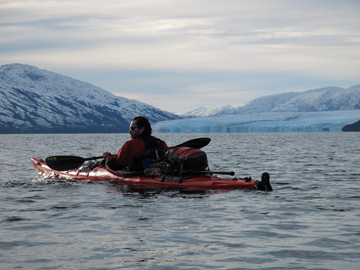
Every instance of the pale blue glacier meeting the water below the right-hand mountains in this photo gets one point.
(324, 121)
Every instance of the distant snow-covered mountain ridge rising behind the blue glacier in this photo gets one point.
(317, 100)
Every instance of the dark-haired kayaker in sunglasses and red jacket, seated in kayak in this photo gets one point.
(131, 156)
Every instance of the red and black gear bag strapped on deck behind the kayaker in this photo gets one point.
(186, 159)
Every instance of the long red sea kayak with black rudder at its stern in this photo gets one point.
(201, 180)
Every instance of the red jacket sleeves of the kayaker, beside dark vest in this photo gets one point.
(134, 148)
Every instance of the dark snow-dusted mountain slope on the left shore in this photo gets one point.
(36, 100)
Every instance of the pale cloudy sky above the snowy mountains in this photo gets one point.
(178, 55)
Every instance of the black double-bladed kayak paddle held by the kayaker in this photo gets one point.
(65, 163)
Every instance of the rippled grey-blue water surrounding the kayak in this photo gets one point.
(310, 221)
